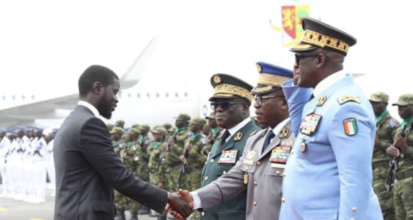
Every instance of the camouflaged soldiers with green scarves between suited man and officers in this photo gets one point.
(172, 157)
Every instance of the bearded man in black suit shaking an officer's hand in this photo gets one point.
(87, 168)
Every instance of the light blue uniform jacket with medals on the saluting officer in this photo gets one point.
(329, 176)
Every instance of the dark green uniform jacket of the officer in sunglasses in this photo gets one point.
(215, 167)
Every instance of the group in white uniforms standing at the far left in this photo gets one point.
(26, 163)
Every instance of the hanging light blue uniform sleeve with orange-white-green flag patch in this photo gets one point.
(353, 153)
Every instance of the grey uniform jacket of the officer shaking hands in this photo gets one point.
(264, 177)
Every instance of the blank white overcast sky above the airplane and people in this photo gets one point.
(54, 41)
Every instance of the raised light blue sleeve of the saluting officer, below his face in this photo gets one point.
(296, 97)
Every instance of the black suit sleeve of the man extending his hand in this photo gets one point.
(97, 149)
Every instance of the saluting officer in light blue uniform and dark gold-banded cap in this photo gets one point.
(329, 174)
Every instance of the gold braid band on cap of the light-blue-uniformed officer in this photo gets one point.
(322, 40)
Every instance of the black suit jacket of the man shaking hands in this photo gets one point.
(87, 170)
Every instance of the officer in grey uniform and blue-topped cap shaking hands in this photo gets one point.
(261, 167)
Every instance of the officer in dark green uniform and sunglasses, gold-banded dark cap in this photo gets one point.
(231, 102)
